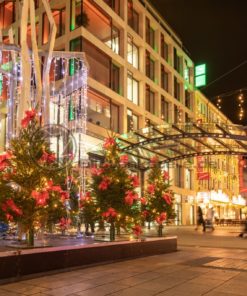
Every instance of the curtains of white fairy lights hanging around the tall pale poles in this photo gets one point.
(76, 92)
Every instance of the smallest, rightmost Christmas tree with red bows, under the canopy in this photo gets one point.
(157, 206)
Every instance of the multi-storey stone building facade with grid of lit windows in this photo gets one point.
(140, 75)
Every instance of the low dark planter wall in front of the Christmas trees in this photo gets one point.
(16, 265)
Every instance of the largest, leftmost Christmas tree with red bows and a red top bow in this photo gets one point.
(30, 191)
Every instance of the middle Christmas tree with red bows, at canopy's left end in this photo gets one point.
(114, 189)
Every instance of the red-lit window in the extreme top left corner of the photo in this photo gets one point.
(7, 14)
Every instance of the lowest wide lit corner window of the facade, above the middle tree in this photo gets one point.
(102, 112)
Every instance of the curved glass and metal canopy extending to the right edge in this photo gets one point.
(172, 142)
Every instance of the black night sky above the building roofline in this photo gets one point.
(214, 32)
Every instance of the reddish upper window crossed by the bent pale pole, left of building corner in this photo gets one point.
(59, 18)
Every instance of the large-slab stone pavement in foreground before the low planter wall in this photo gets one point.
(190, 271)
